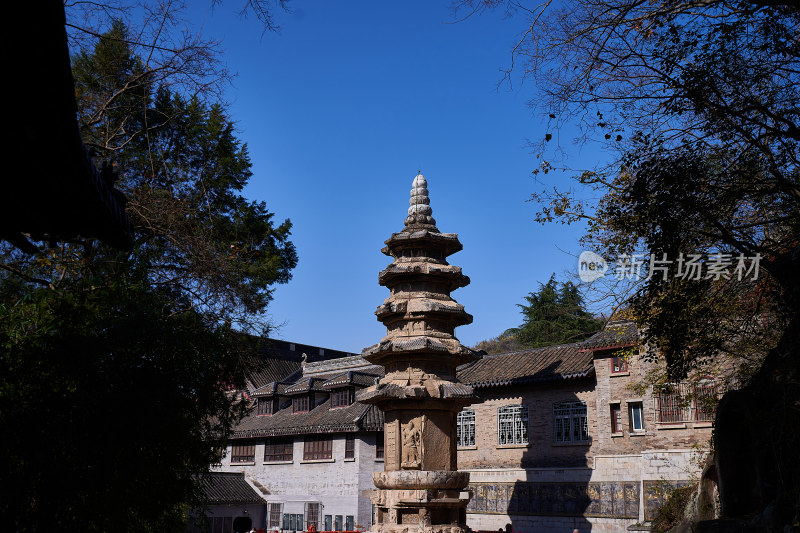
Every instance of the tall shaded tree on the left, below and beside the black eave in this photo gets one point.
(116, 367)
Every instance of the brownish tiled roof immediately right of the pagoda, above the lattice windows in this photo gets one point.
(551, 363)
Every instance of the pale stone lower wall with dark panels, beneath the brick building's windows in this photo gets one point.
(618, 491)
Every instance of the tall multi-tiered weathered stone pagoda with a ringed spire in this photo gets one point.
(420, 489)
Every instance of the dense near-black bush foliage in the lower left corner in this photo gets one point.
(108, 397)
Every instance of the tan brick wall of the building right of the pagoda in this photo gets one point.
(661, 452)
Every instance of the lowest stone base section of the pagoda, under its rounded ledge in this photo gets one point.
(421, 510)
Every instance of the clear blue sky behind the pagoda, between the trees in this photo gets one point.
(339, 111)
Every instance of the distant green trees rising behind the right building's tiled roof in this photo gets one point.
(553, 315)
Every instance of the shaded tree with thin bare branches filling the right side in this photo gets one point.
(698, 104)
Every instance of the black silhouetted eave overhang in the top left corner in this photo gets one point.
(56, 193)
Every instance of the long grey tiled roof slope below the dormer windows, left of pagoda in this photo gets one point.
(320, 419)
